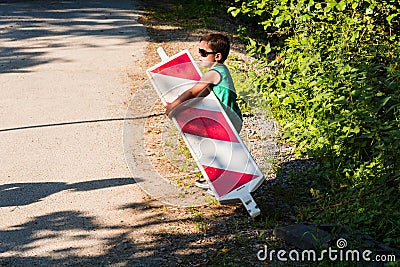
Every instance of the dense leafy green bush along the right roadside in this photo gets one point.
(332, 82)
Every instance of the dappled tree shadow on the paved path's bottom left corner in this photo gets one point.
(19, 243)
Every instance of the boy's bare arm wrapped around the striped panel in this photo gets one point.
(200, 89)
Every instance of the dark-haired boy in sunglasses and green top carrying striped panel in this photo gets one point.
(213, 49)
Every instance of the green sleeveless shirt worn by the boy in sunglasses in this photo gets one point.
(226, 93)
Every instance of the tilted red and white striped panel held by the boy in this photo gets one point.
(212, 140)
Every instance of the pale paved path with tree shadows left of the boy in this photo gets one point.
(66, 194)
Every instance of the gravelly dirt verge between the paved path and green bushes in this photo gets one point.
(213, 234)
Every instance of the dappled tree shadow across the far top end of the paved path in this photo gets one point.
(28, 27)
